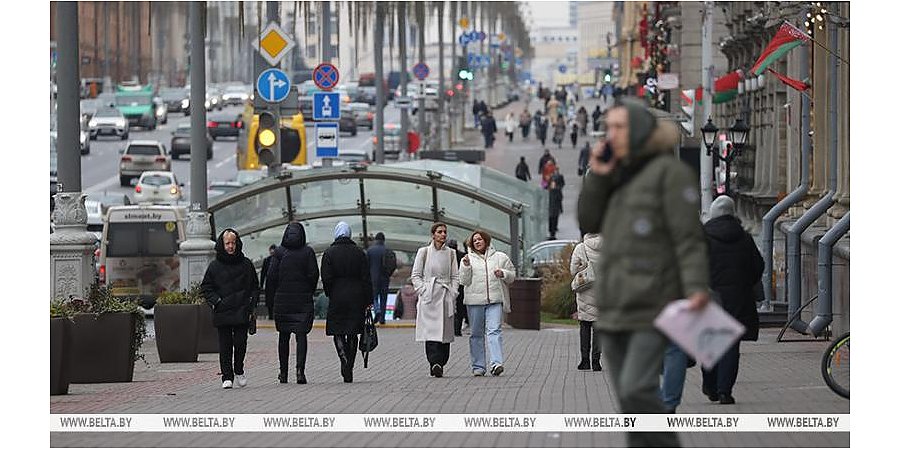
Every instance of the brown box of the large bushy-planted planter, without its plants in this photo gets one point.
(101, 348)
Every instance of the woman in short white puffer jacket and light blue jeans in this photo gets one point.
(486, 275)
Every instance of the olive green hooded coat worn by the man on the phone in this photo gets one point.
(647, 210)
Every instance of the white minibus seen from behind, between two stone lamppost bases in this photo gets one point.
(139, 251)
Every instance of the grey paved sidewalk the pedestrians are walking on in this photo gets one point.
(540, 377)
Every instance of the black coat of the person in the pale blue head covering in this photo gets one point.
(348, 286)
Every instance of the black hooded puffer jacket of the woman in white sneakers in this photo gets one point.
(230, 285)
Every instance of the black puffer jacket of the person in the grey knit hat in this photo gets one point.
(735, 267)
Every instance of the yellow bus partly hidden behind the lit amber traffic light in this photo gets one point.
(293, 140)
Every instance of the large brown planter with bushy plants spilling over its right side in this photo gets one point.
(107, 333)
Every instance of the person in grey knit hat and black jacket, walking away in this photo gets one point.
(735, 267)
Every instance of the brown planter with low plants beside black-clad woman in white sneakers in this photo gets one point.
(177, 324)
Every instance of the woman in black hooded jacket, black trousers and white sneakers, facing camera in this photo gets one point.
(231, 288)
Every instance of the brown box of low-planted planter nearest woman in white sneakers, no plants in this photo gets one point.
(177, 332)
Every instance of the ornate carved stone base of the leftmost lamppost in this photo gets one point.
(71, 247)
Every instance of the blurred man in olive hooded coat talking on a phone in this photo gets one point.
(647, 203)
